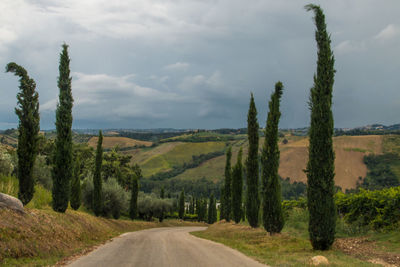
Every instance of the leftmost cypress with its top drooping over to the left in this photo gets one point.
(28, 131)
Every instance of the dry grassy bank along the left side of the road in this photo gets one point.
(42, 237)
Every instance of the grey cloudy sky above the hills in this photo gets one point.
(193, 64)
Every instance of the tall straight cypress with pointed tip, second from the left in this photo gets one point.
(63, 165)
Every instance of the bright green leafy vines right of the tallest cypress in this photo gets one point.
(378, 209)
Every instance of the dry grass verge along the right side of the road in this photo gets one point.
(277, 250)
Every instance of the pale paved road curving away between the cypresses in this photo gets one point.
(159, 247)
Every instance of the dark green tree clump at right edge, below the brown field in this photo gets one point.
(380, 174)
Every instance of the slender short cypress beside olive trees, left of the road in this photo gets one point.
(97, 181)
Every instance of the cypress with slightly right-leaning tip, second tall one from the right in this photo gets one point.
(272, 196)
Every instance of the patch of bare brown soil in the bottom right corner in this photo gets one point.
(365, 249)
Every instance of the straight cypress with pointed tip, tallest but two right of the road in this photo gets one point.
(252, 194)
